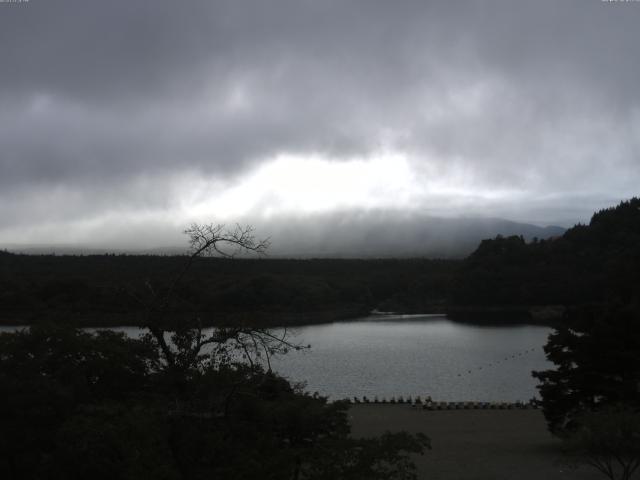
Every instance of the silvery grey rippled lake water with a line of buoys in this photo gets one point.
(413, 355)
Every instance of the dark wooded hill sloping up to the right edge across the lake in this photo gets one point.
(597, 262)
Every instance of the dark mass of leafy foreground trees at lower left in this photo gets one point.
(80, 405)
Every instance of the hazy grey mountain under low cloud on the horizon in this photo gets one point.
(373, 234)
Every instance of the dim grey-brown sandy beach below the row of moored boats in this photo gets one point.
(475, 444)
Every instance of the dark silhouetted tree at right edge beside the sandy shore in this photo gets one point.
(596, 352)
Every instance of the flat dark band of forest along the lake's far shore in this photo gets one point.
(101, 289)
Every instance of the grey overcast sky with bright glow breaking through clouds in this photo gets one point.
(123, 121)
